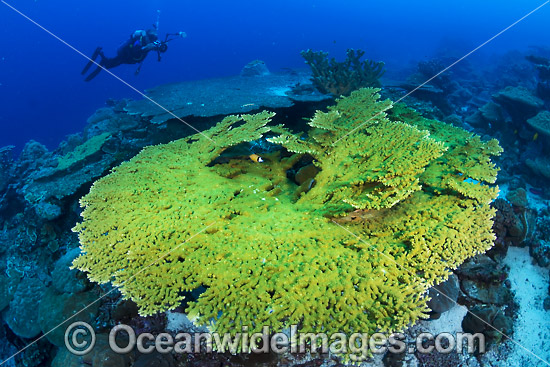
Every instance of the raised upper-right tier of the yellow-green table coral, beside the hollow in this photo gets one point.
(374, 168)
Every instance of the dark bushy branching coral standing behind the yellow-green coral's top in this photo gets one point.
(341, 78)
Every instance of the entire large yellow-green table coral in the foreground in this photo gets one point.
(174, 218)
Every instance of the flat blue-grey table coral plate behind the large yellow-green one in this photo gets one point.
(223, 96)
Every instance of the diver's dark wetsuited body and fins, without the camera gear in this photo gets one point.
(133, 51)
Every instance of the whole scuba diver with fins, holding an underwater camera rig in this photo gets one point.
(133, 51)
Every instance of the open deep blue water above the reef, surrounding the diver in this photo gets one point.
(43, 96)
